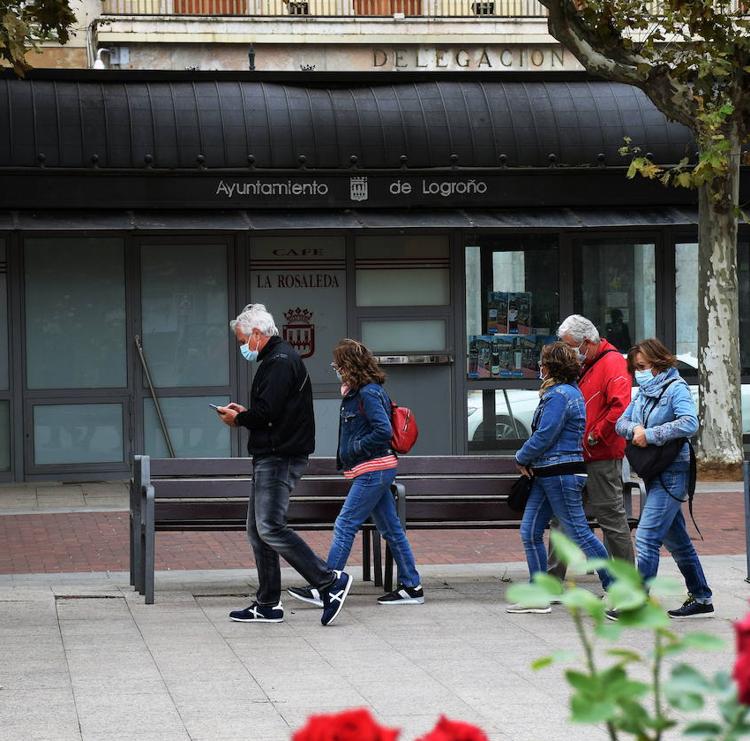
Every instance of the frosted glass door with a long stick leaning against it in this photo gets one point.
(185, 300)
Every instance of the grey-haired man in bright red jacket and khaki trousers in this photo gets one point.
(605, 384)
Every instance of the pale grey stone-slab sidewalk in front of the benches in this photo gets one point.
(84, 658)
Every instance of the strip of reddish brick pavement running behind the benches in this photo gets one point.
(98, 541)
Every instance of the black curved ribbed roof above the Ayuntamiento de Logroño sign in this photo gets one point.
(469, 122)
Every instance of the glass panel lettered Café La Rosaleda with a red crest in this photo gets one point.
(302, 282)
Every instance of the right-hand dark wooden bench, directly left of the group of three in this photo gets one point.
(465, 493)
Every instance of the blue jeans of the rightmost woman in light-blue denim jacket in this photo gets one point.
(662, 523)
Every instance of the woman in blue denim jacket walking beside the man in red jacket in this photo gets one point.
(554, 456)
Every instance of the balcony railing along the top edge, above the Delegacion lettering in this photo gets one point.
(343, 8)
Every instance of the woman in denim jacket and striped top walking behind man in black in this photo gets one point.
(366, 456)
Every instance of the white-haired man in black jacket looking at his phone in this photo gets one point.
(282, 436)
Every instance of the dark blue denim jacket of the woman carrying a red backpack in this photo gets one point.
(364, 426)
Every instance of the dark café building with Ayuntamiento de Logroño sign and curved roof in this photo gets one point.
(449, 222)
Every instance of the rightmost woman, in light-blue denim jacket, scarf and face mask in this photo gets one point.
(664, 410)
